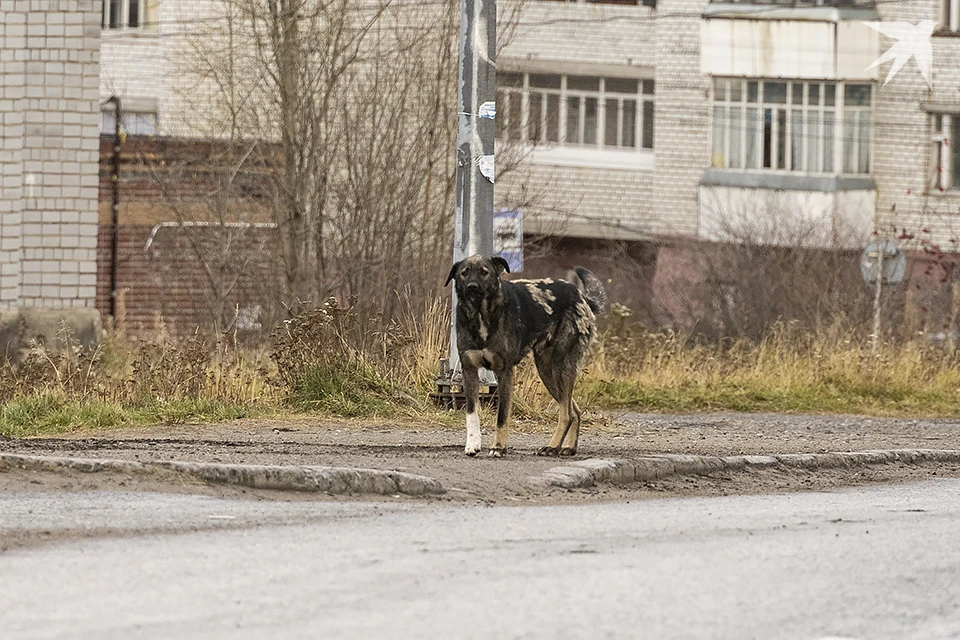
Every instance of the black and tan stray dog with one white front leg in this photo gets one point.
(499, 322)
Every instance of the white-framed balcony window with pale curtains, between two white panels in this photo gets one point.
(791, 126)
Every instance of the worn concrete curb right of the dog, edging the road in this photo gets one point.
(587, 473)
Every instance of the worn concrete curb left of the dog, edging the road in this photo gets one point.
(333, 480)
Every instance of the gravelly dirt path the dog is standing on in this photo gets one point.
(437, 451)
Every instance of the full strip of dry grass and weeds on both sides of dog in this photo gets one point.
(331, 362)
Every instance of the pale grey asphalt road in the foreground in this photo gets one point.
(863, 563)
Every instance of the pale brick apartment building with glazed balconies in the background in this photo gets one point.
(668, 126)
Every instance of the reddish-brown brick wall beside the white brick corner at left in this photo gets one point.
(172, 284)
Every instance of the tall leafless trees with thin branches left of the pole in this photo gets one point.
(346, 113)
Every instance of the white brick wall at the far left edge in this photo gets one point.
(49, 74)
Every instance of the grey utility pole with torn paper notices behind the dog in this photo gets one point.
(473, 226)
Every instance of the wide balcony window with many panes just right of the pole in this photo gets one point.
(610, 113)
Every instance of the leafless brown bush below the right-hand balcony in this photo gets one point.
(773, 260)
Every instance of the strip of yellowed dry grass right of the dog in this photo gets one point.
(785, 372)
